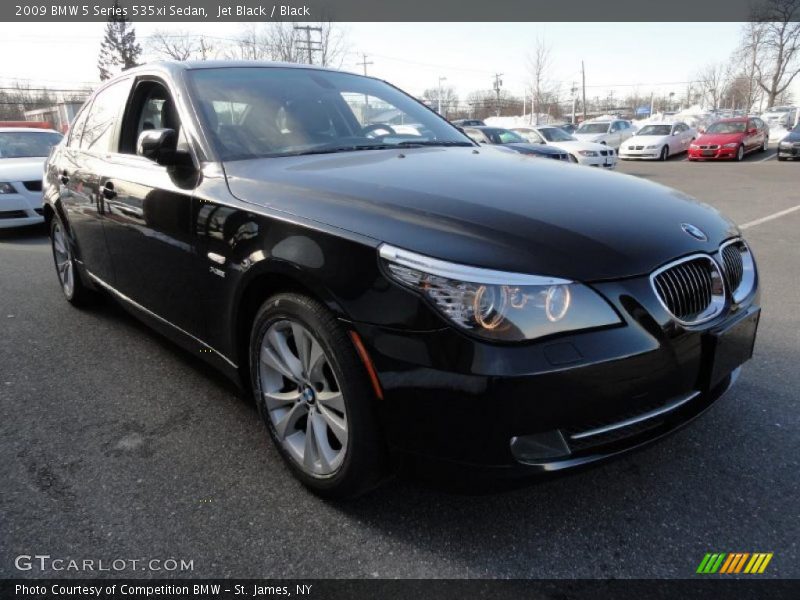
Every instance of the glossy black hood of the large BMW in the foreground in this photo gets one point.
(490, 209)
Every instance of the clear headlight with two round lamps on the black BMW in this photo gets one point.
(495, 305)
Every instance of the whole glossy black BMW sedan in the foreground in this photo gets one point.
(388, 292)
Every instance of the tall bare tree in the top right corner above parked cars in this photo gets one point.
(778, 46)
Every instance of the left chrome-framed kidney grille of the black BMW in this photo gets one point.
(691, 289)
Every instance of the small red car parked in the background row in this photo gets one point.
(730, 139)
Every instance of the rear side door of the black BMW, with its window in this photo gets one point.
(80, 191)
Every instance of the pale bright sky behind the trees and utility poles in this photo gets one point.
(619, 57)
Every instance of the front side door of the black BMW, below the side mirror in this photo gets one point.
(149, 223)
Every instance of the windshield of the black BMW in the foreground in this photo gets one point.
(253, 112)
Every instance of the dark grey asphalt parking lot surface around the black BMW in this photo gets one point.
(114, 443)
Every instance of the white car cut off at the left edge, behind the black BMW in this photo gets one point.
(22, 155)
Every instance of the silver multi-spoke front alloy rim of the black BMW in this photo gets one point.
(303, 398)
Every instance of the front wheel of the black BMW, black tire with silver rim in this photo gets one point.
(334, 447)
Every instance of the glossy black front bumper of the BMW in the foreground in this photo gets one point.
(551, 405)
